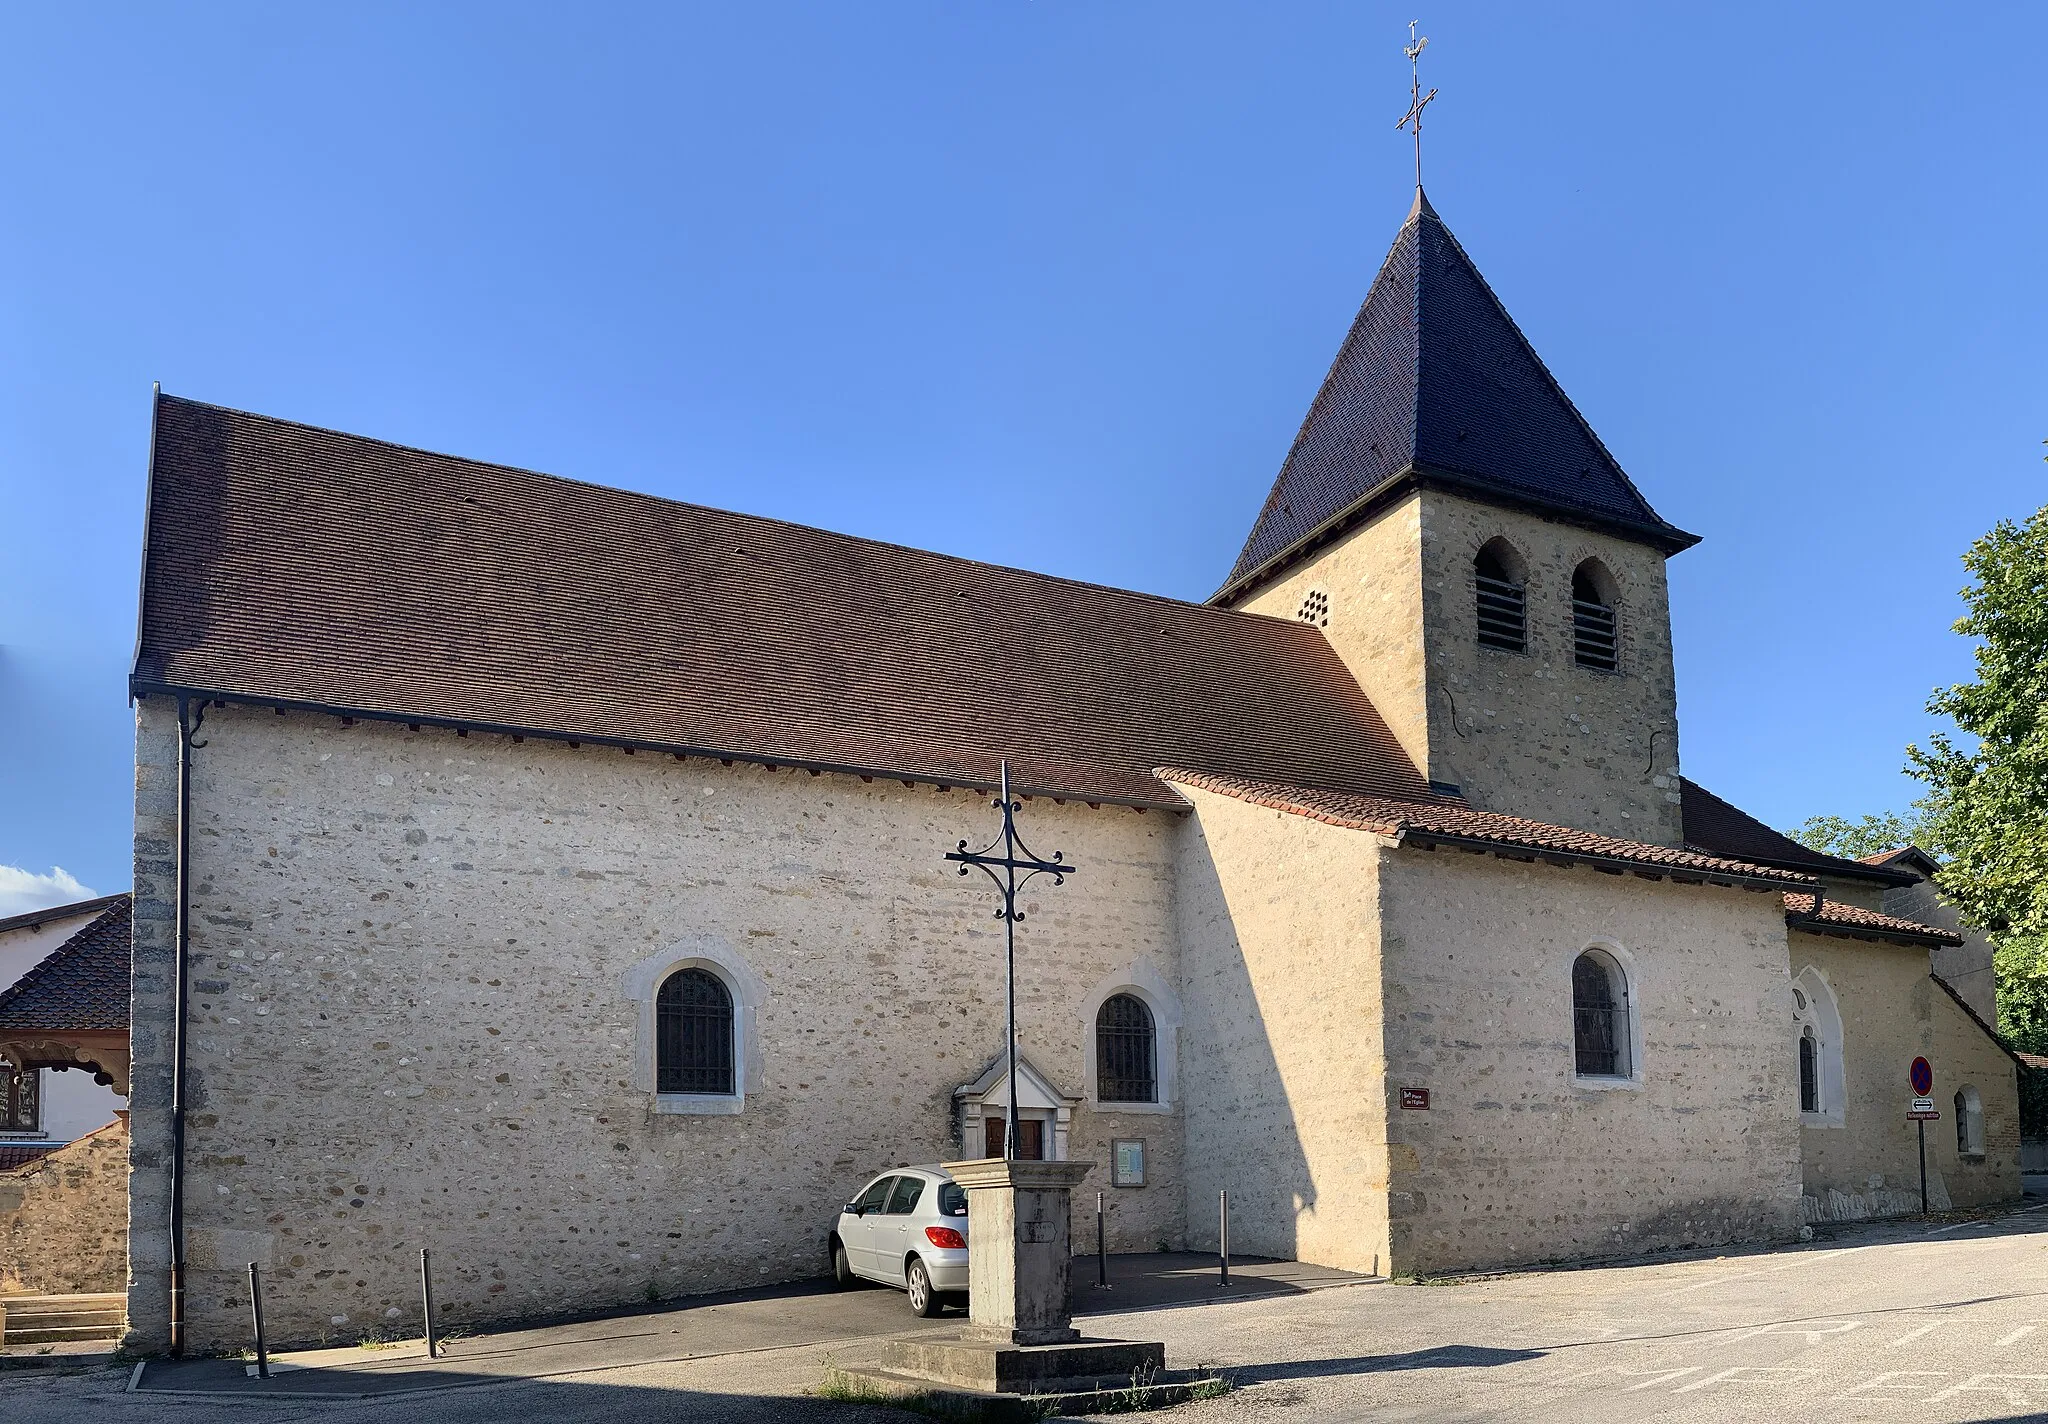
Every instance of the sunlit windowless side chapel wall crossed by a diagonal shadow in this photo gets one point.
(1287, 1099)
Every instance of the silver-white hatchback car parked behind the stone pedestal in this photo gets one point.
(906, 1228)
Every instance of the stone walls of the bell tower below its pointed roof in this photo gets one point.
(1529, 735)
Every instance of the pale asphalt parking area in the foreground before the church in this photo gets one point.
(1904, 1321)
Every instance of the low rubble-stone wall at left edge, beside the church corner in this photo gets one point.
(65, 1218)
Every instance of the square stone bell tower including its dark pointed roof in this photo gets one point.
(1478, 558)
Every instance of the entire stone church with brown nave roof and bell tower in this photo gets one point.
(552, 876)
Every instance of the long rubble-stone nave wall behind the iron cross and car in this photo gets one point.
(411, 1019)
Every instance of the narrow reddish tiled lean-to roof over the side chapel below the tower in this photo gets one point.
(1455, 825)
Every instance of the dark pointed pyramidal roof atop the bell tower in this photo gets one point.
(1437, 384)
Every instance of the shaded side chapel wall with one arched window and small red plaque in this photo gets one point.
(1517, 1159)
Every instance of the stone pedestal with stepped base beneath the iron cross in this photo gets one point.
(1019, 1335)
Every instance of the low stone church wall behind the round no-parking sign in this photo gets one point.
(1893, 1013)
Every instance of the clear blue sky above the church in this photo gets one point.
(1035, 284)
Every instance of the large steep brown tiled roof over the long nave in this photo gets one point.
(300, 567)
